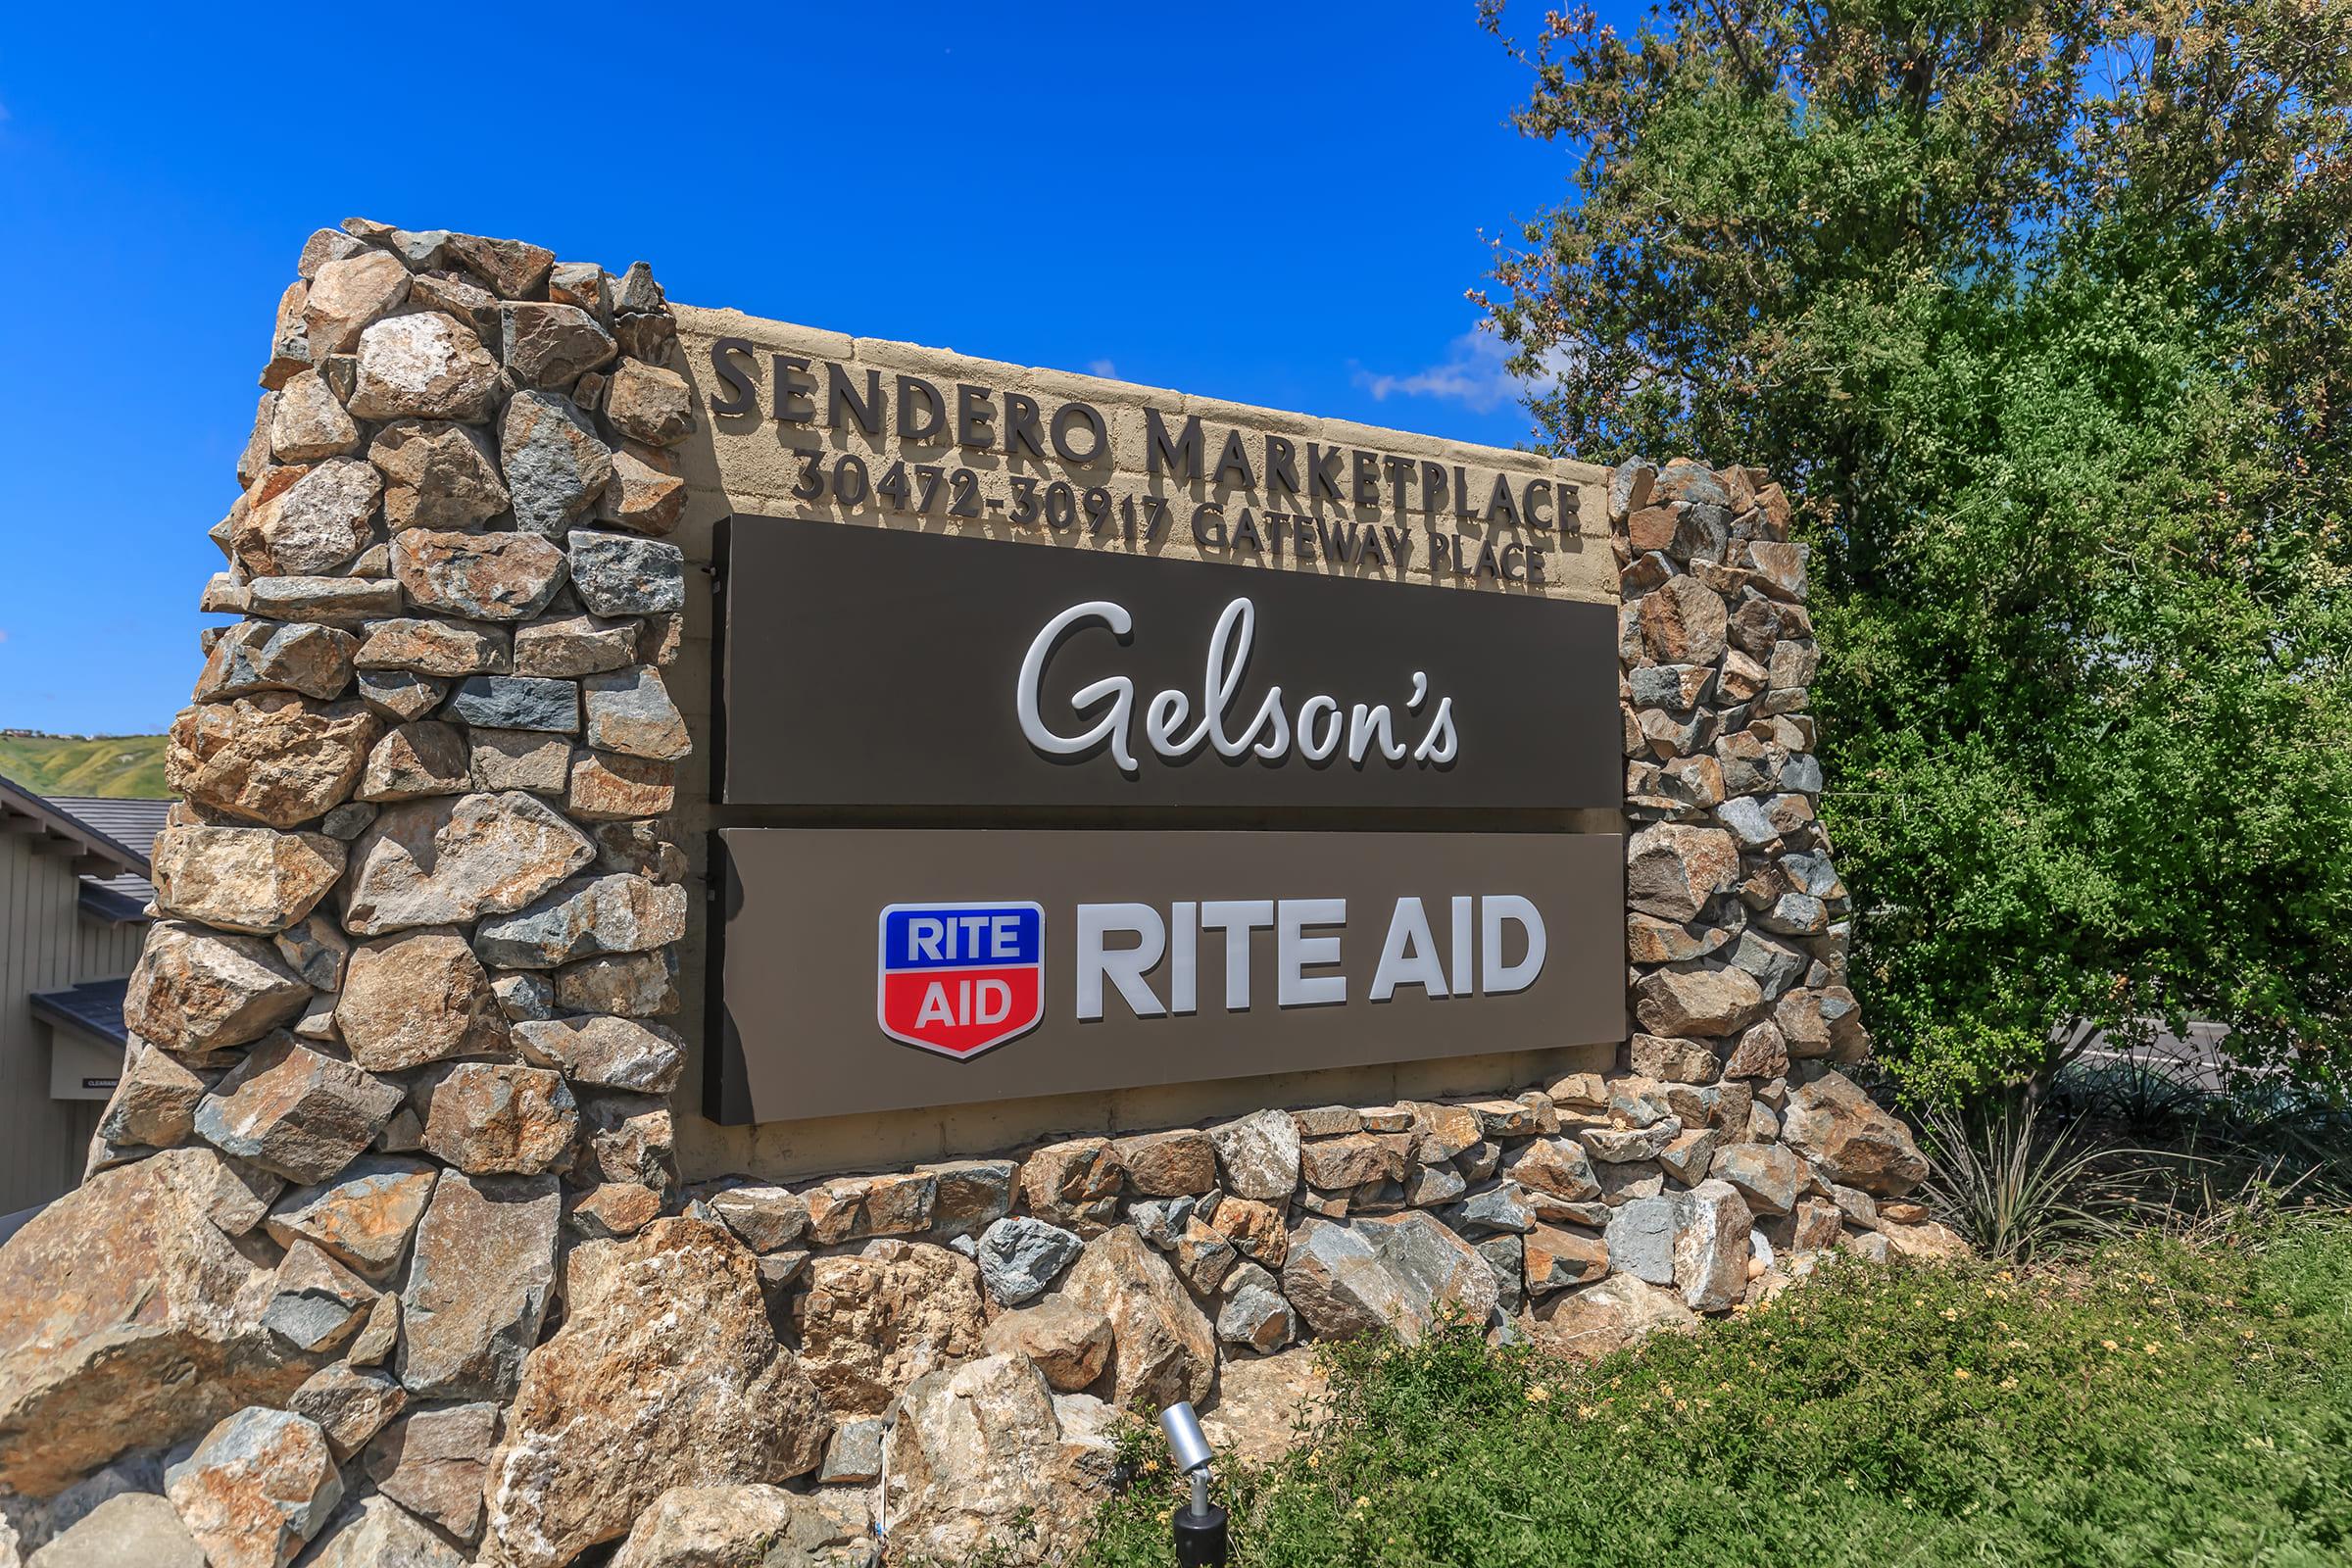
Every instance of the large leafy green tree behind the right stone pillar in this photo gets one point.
(2043, 311)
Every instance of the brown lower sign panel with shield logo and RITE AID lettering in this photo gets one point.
(893, 967)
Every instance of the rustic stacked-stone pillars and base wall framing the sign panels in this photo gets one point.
(382, 1257)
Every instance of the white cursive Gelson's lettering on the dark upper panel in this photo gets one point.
(1172, 730)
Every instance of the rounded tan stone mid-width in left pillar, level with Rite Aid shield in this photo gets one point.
(417, 998)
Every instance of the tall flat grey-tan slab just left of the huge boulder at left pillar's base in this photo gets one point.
(479, 1285)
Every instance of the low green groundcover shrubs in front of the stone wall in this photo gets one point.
(2151, 1402)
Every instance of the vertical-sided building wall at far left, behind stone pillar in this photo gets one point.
(46, 944)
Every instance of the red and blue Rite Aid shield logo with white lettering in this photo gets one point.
(961, 977)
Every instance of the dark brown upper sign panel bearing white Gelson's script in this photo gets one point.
(888, 669)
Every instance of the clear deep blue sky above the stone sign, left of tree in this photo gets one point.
(1269, 203)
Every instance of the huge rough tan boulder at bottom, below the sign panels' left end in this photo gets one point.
(664, 1374)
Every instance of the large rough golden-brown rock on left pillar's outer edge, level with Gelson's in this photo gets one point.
(274, 758)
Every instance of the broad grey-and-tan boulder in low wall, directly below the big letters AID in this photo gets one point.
(1391, 1275)
